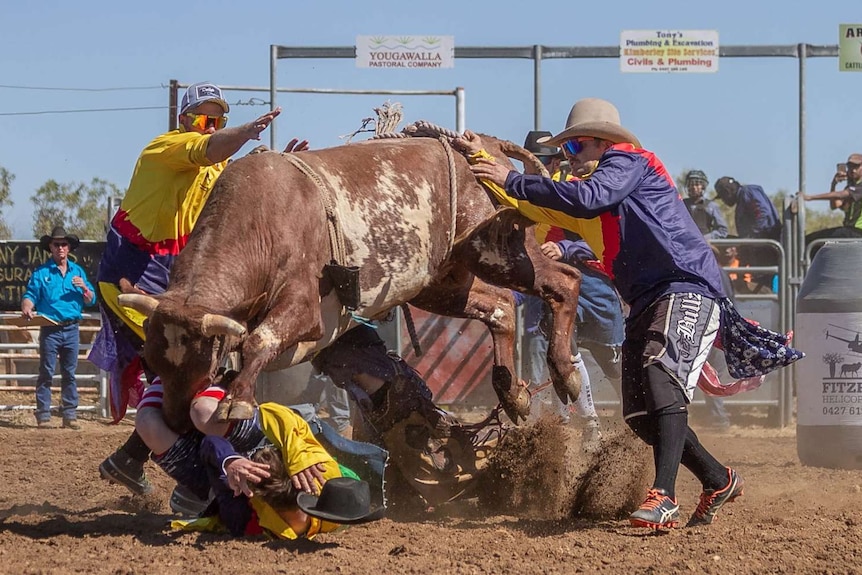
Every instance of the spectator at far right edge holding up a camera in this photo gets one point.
(849, 200)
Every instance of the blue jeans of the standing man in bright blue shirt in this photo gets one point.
(57, 341)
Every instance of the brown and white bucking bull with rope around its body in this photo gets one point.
(407, 212)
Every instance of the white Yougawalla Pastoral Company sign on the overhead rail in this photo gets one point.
(405, 52)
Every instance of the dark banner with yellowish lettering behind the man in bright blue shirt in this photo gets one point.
(18, 260)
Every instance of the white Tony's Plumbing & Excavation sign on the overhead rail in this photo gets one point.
(669, 51)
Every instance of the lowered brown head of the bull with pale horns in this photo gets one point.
(184, 347)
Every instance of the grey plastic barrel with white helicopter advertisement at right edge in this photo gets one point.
(829, 379)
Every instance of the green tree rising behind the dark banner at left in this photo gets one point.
(78, 207)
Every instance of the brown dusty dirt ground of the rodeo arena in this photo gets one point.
(57, 516)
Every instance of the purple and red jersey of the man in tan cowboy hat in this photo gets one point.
(652, 245)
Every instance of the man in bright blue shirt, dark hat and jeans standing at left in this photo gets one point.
(58, 291)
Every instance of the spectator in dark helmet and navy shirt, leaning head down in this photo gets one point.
(756, 218)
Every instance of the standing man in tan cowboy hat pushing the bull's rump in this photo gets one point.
(666, 272)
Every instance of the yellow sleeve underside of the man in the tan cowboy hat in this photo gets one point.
(589, 229)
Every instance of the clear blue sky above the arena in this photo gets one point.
(740, 121)
